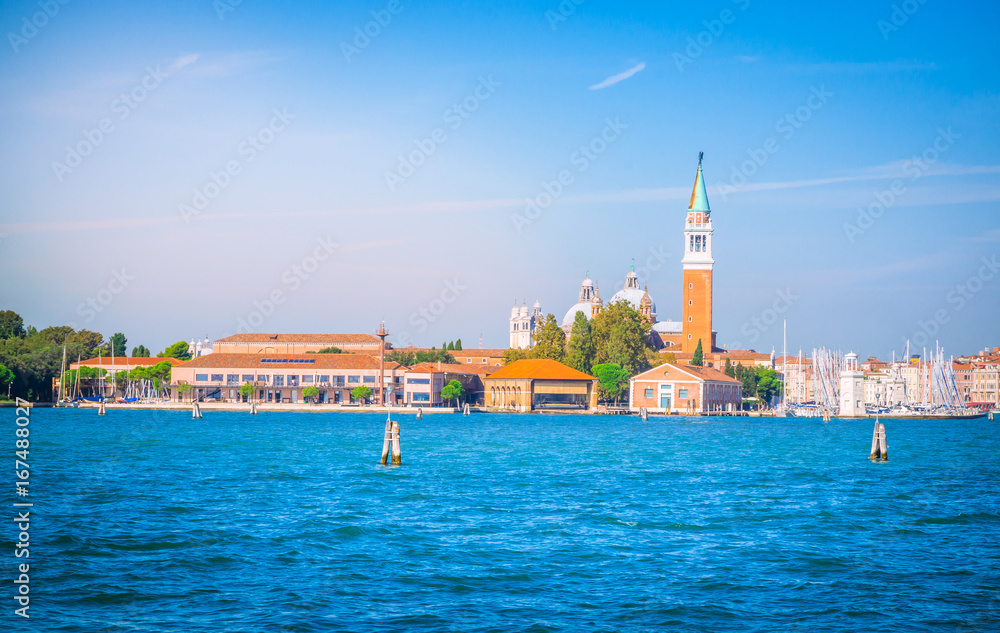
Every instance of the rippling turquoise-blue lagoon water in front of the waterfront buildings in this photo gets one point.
(151, 521)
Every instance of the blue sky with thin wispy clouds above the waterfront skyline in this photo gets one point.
(256, 175)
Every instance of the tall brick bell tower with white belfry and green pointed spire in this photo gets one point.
(698, 265)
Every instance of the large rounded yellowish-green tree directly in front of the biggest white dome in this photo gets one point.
(621, 336)
